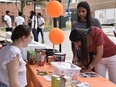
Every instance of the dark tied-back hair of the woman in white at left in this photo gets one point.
(20, 31)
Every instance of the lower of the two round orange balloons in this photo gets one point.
(56, 36)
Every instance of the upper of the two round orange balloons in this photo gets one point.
(54, 9)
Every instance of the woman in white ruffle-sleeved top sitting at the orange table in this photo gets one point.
(12, 65)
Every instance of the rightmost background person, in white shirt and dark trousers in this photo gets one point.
(40, 27)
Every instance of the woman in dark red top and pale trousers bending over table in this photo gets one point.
(95, 40)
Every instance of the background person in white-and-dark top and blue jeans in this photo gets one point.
(34, 26)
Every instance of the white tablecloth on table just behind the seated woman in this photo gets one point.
(32, 46)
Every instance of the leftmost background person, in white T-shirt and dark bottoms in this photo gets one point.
(8, 21)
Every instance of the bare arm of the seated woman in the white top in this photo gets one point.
(12, 68)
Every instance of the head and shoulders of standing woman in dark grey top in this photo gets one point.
(84, 19)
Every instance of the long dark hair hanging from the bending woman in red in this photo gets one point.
(80, 35)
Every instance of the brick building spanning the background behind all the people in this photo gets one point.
(94, 4)
